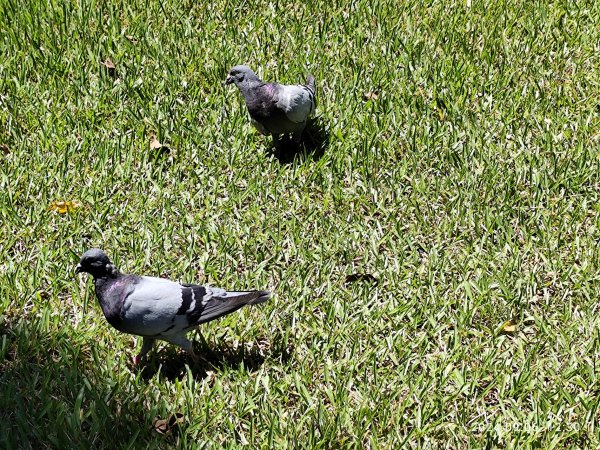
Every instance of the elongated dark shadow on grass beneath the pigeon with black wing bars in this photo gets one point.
(171, 362)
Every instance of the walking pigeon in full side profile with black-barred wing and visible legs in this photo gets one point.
(157, 308)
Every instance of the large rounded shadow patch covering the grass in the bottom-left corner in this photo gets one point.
(52, 394)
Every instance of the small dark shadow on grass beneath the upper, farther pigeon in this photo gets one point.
(315, 141)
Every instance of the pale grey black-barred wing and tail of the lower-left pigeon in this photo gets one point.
(157, 307)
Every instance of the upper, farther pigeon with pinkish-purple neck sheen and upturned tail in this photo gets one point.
(275, 108)
